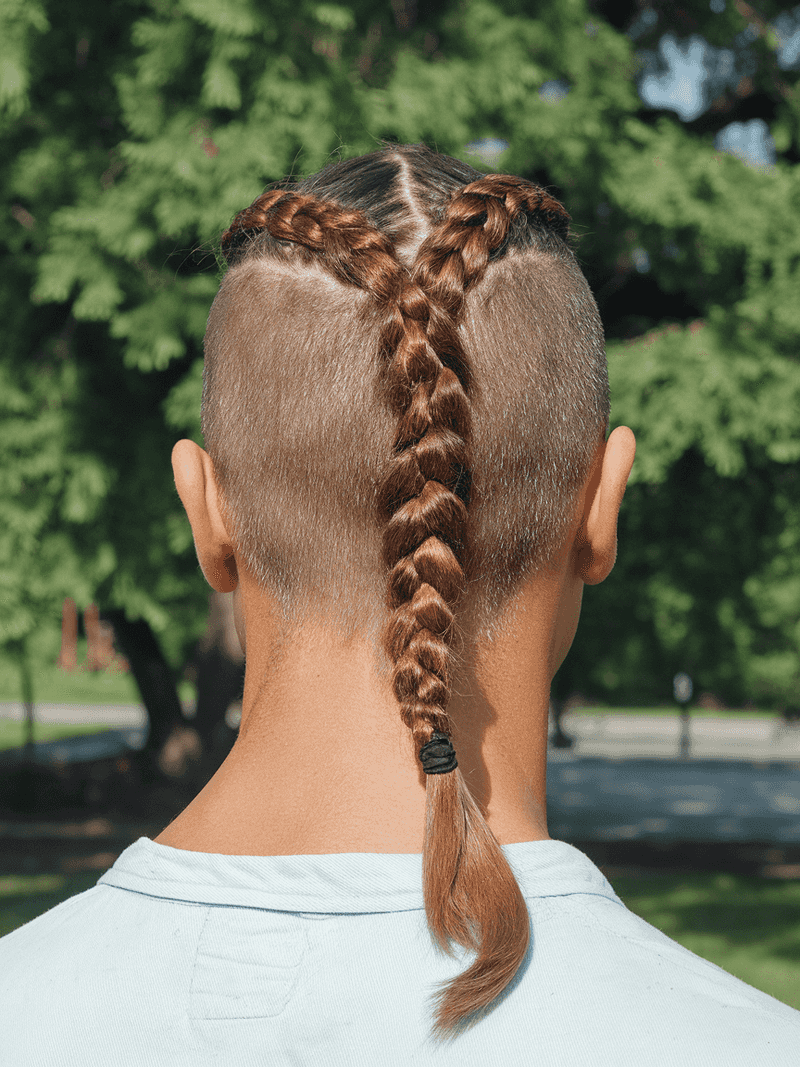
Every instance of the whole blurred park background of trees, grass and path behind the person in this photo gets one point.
(133, 131)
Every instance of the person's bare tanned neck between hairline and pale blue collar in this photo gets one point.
(324, 762)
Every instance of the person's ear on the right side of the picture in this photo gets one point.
(597, 542)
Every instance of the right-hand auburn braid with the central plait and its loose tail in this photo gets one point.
(426, 497)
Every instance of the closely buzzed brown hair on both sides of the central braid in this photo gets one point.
(297, 424)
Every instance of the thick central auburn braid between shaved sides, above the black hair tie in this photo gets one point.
(425, 500)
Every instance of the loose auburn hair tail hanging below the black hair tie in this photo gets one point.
(471, 898)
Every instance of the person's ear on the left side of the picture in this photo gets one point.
(197, 485)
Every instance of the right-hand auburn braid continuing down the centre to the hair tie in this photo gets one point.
(427, 491)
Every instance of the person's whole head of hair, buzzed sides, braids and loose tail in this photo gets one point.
(406, 387)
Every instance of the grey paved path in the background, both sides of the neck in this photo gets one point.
(621, 782)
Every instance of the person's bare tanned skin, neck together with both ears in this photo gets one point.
(324, 763)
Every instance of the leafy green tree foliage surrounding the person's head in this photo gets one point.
(133, 132)
